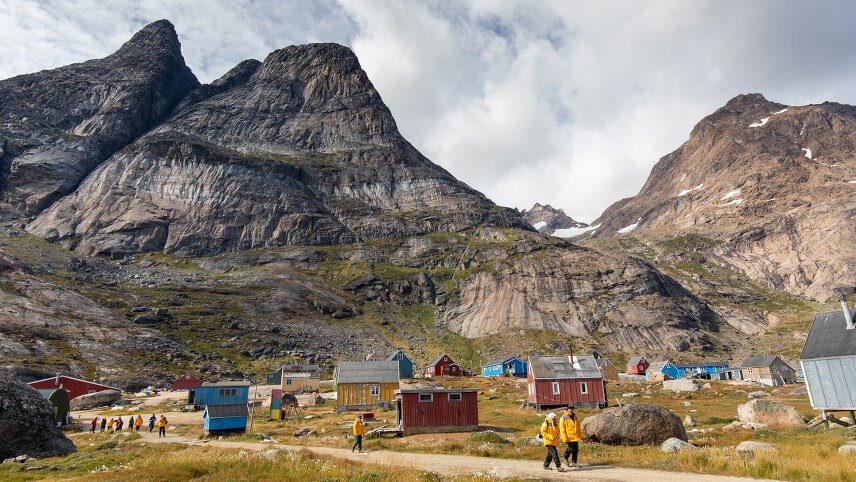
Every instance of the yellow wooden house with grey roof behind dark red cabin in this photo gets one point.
(365, 385)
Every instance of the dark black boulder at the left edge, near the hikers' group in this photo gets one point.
(27, 423)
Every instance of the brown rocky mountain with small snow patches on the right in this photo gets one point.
(773, 187)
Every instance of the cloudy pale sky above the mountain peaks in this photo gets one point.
(568, 103)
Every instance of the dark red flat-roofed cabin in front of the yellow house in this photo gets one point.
(437, 410)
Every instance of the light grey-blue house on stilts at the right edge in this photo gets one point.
(828, 361)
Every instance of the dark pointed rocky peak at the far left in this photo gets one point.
(57, 125)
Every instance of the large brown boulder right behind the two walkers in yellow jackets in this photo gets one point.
(634, 425)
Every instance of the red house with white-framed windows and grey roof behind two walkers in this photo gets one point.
(561, 380)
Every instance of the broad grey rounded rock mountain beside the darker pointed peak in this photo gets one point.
(296, 150)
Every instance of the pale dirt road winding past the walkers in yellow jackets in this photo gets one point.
(453, 465)
